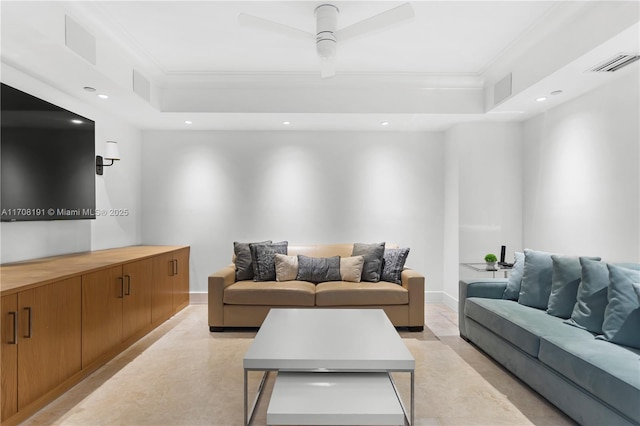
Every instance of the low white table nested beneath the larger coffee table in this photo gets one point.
(319, 398)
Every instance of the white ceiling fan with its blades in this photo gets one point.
(327, 33)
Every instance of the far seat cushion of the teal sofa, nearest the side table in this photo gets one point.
(521, 325)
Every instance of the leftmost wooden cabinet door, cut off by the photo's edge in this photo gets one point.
(9, 354)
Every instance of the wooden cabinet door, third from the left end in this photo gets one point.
(102, 296)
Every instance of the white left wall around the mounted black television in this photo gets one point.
(119, 187)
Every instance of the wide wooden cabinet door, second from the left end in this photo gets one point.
(49, 340)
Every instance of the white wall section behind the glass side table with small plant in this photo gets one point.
(483, 182)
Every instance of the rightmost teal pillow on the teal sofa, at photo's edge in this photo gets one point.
(622, 315)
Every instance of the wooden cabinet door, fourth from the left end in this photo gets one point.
(137, 296)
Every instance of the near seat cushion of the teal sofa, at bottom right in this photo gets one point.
(608, 371)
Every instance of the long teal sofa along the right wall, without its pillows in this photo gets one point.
(592, 380)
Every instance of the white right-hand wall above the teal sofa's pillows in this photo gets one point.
(581, 178)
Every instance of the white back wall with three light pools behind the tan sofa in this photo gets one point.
(208, 189)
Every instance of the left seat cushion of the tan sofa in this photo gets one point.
(270, 293)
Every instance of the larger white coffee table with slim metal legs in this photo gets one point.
(349, 341)
